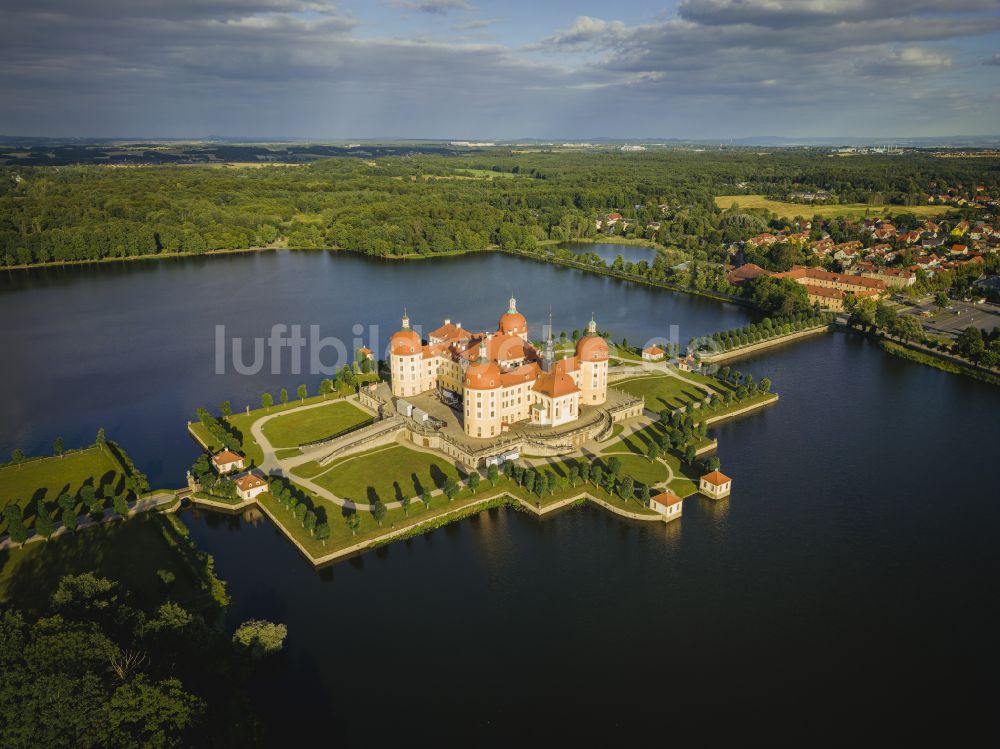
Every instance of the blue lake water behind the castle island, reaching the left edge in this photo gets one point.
(132, 347)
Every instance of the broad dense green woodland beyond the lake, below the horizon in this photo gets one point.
(425, 204)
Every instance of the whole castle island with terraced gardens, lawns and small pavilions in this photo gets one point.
(462, 421)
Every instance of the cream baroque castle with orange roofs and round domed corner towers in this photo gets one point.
(501, 377)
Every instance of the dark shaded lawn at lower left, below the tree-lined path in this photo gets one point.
(130, 552)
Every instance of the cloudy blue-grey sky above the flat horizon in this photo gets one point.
(484, 70)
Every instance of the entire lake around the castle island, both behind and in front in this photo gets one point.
(842, 589)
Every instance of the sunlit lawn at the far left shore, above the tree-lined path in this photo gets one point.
(47, 478)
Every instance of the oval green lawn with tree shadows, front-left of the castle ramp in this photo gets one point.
(389, 474)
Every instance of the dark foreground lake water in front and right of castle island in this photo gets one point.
(842, 591)
